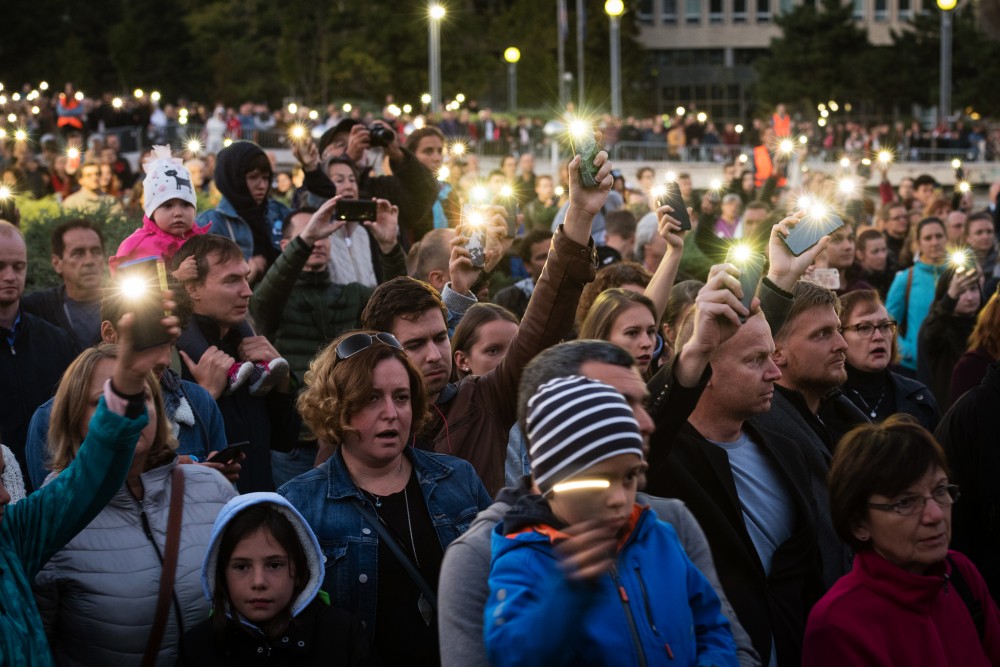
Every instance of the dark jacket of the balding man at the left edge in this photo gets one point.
(30, 368)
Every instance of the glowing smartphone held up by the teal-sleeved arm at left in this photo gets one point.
(141, 283)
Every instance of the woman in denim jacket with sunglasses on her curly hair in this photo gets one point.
(364, 394)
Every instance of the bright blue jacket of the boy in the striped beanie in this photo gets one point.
(654, 608)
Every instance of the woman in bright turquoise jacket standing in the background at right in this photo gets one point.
(912, 291)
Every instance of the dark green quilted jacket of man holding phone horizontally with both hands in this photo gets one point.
(301, 311)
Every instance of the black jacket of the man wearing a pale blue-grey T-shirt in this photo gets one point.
(698, 473)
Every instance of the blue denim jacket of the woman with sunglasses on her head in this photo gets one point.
(325, 497)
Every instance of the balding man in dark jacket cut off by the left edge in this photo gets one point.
(36, 352)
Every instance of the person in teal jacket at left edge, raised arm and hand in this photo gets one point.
(35, 528)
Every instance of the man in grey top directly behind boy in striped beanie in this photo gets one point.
(463, 587)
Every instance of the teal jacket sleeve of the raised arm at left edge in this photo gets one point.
(34, 529)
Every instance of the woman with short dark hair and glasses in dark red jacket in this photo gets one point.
(909, 600)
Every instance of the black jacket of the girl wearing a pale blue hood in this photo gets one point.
(320, 635)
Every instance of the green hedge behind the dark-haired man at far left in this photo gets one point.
(40, 216)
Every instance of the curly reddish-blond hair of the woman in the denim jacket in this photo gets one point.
(337, 389)
